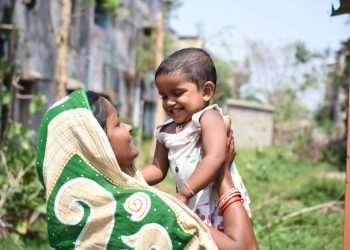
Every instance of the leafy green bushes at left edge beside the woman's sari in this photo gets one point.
(22, 203)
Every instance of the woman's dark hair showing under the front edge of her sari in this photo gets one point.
(98, 107)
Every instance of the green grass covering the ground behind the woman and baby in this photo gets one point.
(279, 185)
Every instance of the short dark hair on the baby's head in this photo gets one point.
(196, 64)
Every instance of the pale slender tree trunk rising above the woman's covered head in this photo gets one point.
(62, 49)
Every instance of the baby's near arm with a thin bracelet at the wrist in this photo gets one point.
(214, 153)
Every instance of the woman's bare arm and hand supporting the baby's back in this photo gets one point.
(238, 231)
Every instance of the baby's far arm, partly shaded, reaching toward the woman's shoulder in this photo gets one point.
(157, 171)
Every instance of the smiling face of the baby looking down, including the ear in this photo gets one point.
(181, 98)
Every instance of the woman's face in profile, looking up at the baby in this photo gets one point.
(119, 136)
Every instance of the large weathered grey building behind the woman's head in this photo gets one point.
(101, 53)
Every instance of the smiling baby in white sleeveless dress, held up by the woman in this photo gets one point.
(186, 81)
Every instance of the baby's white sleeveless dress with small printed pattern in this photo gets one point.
(185, 152)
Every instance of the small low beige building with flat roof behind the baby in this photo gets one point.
(252, 123)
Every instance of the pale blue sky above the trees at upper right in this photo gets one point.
(274, 22)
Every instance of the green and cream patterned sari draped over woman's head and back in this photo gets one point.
(91, 203)
